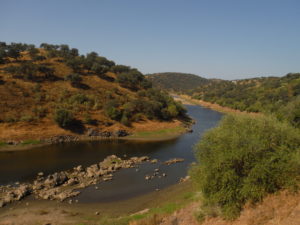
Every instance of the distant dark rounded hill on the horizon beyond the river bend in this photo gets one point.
(178, 82)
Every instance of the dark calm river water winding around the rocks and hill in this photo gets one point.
(23, 166)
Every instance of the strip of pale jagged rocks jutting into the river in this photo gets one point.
(66, 184)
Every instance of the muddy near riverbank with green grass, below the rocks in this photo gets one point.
(162, 202)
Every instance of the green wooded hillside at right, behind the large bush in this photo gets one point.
(253, 95)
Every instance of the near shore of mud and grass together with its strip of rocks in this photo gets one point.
(63, 185)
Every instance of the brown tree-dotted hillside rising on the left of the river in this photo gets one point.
(53, 90)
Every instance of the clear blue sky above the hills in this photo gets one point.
(213, 38)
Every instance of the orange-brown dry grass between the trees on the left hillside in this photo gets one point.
(19, 101)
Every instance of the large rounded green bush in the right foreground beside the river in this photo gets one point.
(243, 159)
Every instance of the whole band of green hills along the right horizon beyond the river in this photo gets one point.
(278, 95)
